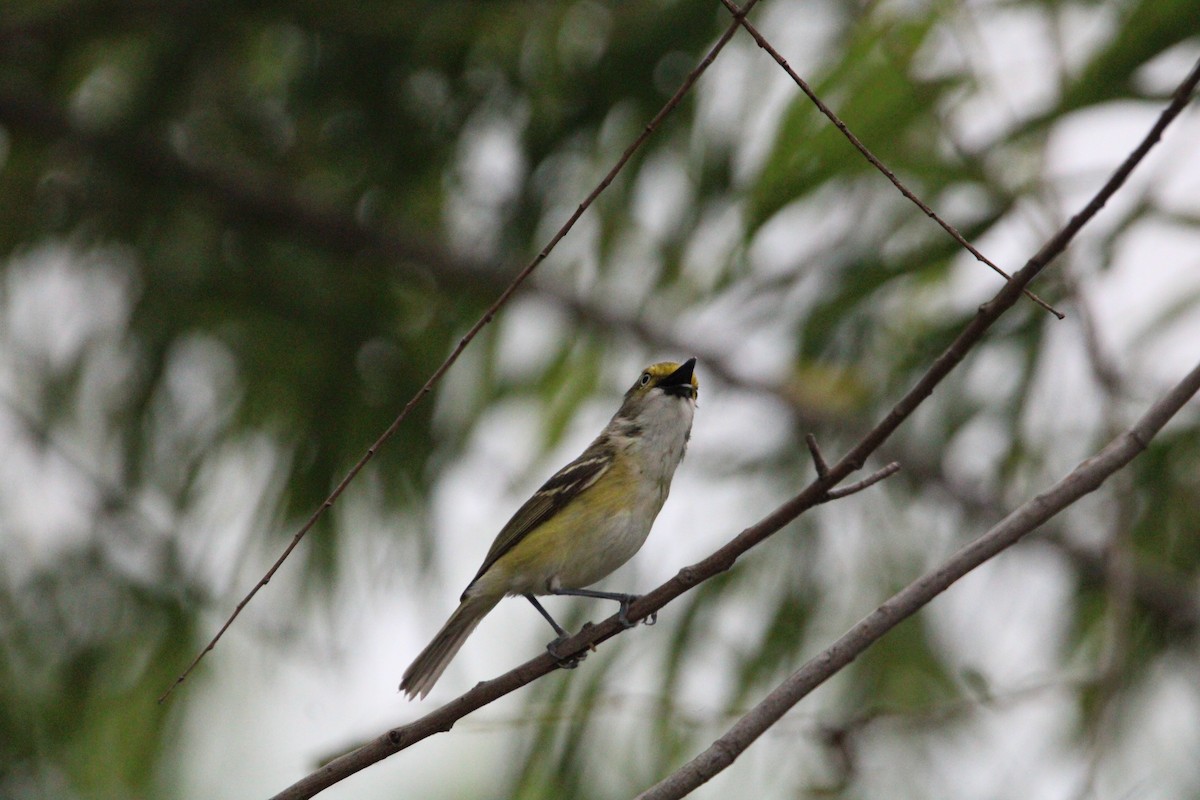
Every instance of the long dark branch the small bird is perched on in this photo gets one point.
(445, 718)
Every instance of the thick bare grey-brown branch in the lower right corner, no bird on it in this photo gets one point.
(1083, 480)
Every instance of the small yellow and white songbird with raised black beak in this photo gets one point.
(590, 519)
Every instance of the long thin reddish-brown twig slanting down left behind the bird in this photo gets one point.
(685, 88)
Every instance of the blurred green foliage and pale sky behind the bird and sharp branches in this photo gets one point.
(237, 237)
